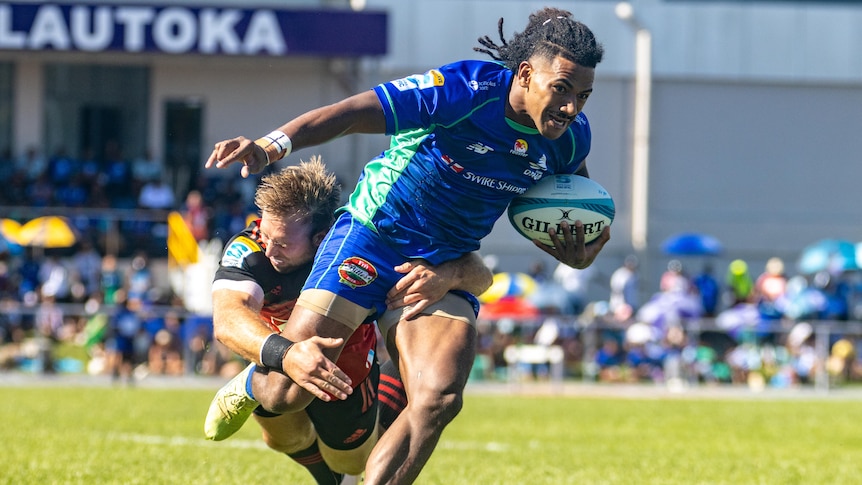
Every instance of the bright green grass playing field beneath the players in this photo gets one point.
(98, 434)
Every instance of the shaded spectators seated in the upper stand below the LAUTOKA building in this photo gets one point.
(109, 180)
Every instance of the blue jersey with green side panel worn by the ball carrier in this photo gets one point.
(455, 161)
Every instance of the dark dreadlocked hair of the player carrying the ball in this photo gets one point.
(551, 32)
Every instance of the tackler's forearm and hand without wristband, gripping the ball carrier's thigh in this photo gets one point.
(424, 284)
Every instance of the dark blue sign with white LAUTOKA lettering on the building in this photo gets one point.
(190, 30)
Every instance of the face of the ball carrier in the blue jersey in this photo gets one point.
(554, 92)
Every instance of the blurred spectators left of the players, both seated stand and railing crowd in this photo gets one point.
(87, 309)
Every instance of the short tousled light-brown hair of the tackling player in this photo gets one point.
(304, 190)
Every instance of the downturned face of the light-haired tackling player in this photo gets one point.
(287, 240)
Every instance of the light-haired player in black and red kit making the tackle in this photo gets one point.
(259, 278)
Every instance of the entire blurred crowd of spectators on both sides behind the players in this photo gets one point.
(87, 309)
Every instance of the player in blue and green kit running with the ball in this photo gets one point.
(466, 138)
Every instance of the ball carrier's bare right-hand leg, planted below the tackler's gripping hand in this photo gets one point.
(435, 356)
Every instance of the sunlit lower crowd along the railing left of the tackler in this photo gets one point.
(95, 314)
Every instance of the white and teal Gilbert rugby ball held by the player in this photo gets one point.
(559, 198)
